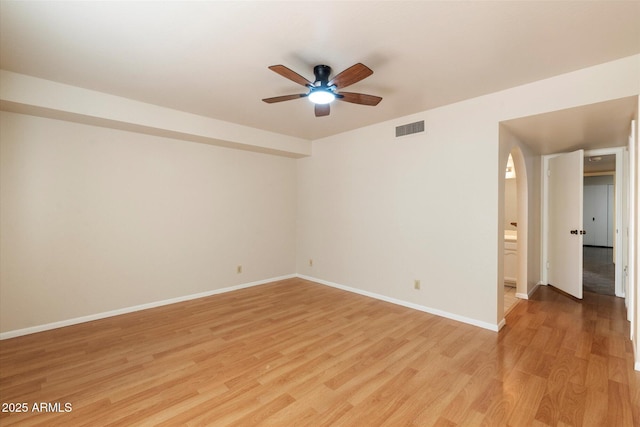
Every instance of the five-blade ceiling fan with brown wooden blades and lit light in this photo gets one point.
(323, 91)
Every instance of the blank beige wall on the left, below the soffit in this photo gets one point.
(97, 219)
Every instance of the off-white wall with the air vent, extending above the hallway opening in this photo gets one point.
(375, 212)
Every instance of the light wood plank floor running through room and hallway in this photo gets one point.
(295, 353)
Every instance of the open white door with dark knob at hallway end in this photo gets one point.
(565, 183)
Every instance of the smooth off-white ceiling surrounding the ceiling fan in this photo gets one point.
(211, 58)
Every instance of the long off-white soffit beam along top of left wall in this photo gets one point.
(29, 95)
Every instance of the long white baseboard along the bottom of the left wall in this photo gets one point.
(103, 315)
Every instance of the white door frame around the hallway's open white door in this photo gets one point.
(619, 195)
